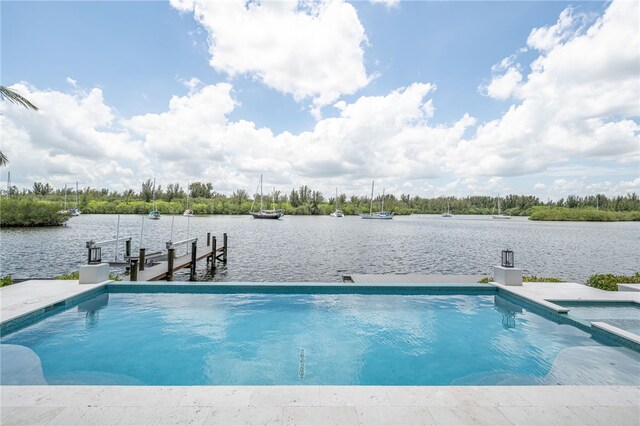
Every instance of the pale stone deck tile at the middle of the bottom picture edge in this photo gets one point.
(321, 416)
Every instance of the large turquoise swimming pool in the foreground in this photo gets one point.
(312, 335)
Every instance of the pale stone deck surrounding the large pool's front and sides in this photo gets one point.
(313, 405)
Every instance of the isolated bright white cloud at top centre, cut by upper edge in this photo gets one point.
(309, 49)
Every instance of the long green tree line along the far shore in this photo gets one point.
(303, 200)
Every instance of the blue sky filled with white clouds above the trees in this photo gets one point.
(424, 98)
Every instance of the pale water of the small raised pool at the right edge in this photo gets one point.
(619, 314)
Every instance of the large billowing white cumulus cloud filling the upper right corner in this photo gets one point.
(579, 101)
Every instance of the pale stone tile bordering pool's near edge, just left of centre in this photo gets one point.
(308, 396)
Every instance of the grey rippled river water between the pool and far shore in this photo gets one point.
(322, 249)
